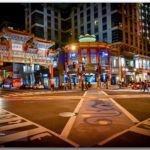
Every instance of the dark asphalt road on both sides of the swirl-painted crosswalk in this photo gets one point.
(43, 108)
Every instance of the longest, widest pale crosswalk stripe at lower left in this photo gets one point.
(23, 134)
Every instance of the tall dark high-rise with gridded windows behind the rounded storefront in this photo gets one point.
(125, 25)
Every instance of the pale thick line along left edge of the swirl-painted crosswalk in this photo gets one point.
(69, 124)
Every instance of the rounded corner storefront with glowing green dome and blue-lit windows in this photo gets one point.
(88, 59)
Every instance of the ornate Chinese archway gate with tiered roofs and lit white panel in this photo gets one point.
(19, 47)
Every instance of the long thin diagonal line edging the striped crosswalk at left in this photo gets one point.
(44, 129)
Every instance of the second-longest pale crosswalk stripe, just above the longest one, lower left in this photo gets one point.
(8, 127)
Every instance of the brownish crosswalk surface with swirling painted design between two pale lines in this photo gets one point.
(98, 119)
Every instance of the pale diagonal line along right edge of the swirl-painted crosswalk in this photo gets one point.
(128, 114)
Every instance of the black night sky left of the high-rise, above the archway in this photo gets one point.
(12, 12)
